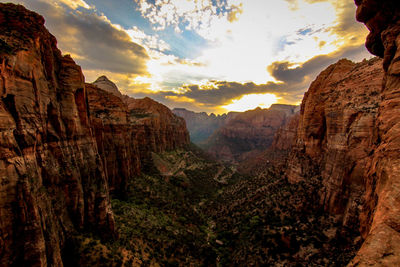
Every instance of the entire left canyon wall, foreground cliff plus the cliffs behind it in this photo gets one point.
(63, 145)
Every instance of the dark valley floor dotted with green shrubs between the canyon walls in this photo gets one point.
(181, 213)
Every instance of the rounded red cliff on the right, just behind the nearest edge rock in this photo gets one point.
(336, 133)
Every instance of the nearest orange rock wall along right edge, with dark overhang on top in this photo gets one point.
(380, 220)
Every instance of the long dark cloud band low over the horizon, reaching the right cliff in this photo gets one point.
(294, 82)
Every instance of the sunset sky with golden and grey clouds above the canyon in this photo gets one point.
(206, 55)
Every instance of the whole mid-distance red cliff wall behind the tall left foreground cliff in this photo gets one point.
(127, 130)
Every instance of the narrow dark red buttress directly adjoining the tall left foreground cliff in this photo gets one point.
(116, 143)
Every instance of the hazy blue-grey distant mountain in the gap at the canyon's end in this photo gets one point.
(201, 125)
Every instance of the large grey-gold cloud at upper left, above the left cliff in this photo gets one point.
(91, 39)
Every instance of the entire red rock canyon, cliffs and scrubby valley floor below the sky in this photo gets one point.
(91, 176)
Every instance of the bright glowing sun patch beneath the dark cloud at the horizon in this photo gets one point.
(251, 101)
